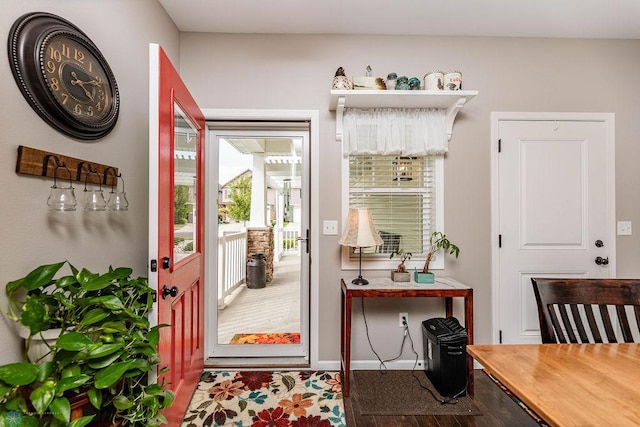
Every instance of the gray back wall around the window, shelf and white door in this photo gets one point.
(511, 74)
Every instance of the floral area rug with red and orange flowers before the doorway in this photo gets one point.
(266, 398)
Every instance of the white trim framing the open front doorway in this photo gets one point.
(313, 117)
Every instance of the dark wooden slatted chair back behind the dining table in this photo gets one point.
(566, 306)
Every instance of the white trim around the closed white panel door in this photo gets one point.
(496, 118)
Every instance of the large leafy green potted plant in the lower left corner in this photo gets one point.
(105, 350)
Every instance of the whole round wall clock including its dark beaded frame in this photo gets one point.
(63, 76)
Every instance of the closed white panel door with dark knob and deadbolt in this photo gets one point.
(556, 212)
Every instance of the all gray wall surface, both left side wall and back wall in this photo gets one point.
(295, 72)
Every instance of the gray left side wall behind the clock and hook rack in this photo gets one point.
(30, 235)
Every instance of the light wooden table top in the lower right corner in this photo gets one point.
(570, 384)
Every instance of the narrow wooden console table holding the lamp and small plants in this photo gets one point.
(385, 288)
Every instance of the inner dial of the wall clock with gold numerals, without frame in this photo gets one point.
(76, 79)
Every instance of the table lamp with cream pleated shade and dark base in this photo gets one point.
(360, 233)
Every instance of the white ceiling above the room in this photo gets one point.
(500, 18)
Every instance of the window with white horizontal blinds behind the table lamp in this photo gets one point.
(401, 193)
